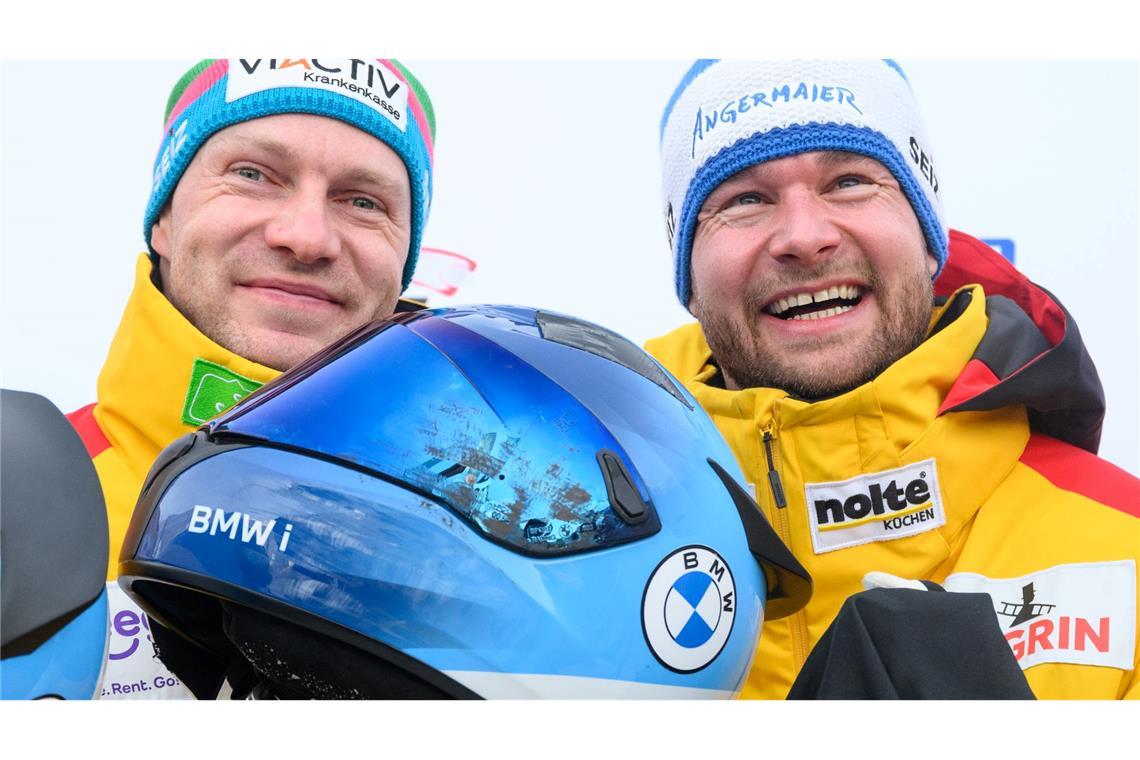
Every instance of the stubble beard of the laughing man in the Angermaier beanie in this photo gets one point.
(747, 363)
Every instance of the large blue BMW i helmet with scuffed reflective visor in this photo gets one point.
(477, 502)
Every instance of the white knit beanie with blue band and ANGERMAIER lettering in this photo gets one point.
(728, 116)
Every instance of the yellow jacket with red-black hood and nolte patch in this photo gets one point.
(941, 469)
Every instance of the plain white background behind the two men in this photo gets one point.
(548, 177)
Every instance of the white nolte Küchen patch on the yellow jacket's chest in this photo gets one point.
(875, 508)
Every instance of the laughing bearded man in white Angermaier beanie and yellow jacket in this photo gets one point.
(907, 404)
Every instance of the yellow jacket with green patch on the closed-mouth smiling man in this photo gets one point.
(162, 379)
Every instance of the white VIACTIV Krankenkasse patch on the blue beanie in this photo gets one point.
(368, 83)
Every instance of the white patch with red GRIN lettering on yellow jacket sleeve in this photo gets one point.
(1080, 614)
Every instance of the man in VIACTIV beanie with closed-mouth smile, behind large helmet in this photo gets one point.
(288, 206)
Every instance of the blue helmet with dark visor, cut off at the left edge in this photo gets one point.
(53, 557)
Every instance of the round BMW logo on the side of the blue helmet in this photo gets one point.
(689, 608)
